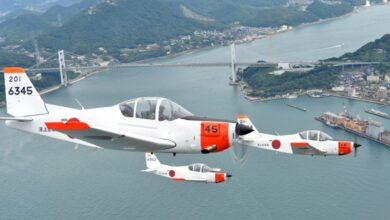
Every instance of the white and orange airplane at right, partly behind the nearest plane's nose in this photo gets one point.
(307, 142)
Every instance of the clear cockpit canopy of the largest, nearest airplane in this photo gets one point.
(153, 108)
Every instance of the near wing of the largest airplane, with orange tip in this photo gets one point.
(107, 139)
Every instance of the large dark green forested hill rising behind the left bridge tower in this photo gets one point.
(121, 24)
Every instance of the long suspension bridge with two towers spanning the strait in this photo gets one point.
(63, 62)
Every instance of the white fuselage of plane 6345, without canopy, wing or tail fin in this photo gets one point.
(187, 135)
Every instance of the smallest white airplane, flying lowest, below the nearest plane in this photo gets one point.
(194, 173)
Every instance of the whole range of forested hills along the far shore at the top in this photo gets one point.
(122, 24)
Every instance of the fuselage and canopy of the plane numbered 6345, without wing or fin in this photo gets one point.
(189, 134)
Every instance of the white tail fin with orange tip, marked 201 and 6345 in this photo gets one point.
(21, 96)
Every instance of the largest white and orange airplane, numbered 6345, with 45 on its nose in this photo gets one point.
(146, 124)
